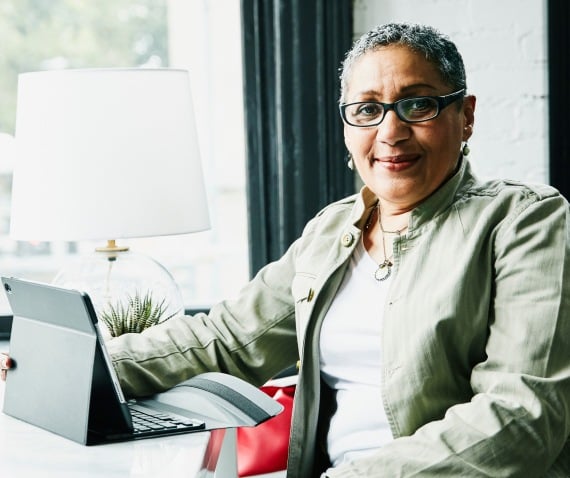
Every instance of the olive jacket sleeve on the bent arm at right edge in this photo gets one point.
(518, 420)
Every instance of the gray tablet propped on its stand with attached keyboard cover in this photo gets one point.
(63, 380)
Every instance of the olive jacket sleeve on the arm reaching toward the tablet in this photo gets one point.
(252, 337)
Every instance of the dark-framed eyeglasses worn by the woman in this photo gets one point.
(410, 110)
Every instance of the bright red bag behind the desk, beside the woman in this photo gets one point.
(263, 449)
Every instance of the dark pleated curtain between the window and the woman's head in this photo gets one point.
(292, 51)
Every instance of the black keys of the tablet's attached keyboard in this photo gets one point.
(146, 420)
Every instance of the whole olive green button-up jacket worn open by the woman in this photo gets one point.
(476, 333)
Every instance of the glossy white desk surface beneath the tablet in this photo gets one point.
(27, 451)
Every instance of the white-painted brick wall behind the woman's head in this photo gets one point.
(503, 44)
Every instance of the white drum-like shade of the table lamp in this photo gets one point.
(106, 154)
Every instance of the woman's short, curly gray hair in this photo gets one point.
(435, 46)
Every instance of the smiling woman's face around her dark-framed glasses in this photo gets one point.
(404, 163)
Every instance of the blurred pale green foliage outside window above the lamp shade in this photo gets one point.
(49, 34)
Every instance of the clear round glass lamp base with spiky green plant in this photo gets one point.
(129, 291)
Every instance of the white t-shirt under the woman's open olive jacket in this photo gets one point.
(350, 356)
